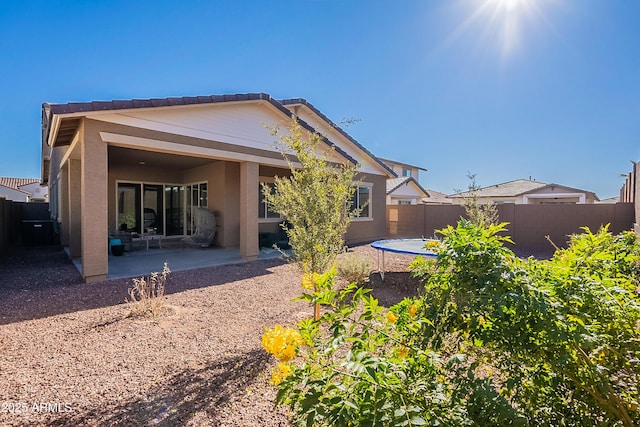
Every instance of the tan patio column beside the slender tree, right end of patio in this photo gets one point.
(249, 182)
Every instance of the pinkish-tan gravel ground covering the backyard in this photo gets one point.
(69, 355)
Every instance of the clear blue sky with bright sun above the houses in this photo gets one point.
(503, 89)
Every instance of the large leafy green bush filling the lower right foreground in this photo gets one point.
(494, 340)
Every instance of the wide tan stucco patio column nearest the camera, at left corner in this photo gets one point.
(94, 206)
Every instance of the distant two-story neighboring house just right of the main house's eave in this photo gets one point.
(405, 189)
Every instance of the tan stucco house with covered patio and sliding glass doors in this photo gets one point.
(139, 164)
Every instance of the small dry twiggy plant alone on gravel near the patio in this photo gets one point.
(147, 295)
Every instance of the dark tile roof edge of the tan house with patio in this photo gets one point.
(75, 109)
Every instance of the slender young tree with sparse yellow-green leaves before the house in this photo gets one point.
(316, 202)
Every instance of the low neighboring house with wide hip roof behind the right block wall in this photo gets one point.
(522, 191)
